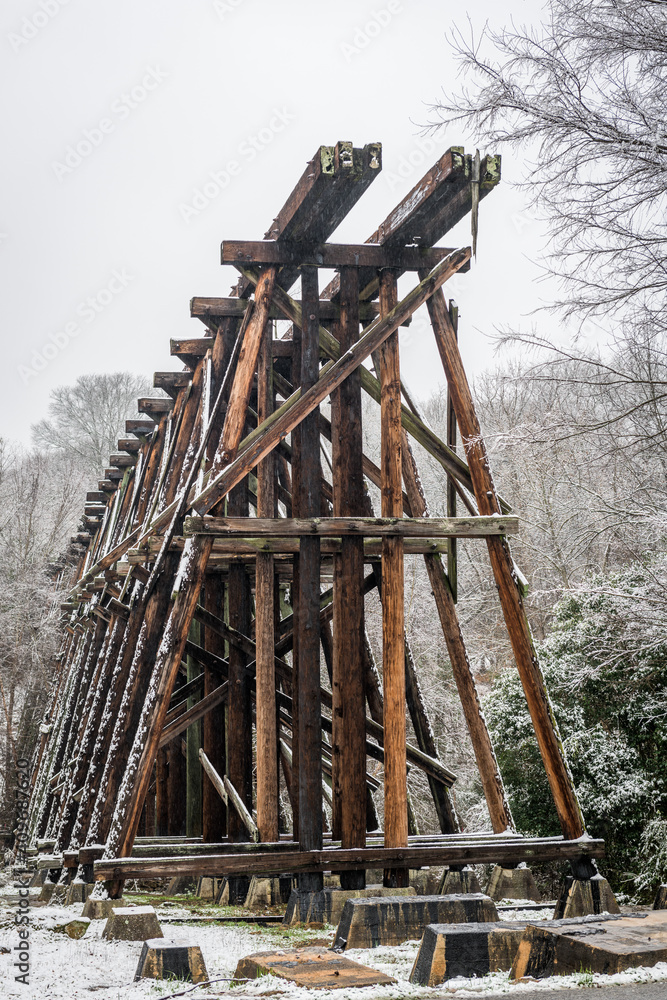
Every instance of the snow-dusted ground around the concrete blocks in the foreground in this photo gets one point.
(65, 969)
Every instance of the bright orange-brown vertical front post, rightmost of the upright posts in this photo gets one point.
(393, 655)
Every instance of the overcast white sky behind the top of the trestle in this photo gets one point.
(160, 95)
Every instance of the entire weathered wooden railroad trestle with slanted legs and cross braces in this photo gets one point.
(177, 625)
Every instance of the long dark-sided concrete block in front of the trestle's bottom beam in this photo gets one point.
(369, 923)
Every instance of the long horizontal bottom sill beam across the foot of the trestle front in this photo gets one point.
(493, 851)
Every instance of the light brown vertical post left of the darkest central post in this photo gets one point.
(267, 735)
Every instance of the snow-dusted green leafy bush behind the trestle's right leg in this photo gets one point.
(605, 664)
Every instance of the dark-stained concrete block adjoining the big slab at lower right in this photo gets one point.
(449, 950)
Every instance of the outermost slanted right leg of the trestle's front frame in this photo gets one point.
(539, 706)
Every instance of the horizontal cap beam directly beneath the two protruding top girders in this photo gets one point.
(332, 255)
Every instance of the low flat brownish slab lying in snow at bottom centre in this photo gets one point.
(314, 968)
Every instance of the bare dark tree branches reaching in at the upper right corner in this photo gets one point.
(584, 94)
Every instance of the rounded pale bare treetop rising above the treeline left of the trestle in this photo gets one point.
(86, 418)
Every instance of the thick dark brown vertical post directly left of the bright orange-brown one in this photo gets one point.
(348, 715)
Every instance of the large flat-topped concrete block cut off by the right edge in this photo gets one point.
(607, 945)
